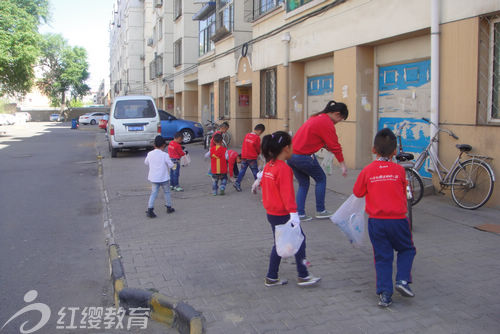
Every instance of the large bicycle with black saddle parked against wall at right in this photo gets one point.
(471, 180)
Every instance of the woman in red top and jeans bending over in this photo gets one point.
(317, 132)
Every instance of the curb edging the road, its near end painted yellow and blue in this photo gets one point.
(163, 309)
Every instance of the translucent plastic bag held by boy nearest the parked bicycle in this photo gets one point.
(351, 220)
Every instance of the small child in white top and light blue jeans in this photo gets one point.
(159, 163)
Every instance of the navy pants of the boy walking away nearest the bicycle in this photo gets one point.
(386, 236)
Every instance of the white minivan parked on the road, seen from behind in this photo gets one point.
(133, 123)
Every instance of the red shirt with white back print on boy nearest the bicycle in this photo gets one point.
(384, 185)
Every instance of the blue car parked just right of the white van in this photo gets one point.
(170, 125)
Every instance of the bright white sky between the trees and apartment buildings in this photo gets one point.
(84, 23)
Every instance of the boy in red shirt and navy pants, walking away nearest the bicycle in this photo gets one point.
(384, 184)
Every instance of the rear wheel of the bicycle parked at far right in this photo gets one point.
(472, 184)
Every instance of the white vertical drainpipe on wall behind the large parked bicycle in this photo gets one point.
(435, 16)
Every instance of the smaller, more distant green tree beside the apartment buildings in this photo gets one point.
(65, 70)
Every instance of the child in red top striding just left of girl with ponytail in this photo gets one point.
(250, 151)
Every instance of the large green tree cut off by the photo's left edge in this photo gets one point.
(19, 38)
